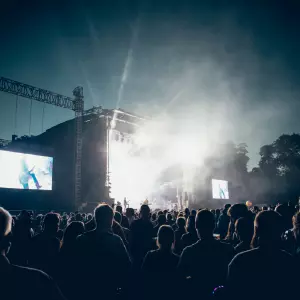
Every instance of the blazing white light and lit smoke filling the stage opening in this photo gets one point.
(136, 168)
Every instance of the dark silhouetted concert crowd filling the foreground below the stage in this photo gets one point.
(229, 253)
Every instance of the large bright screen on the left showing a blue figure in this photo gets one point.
(25, 171)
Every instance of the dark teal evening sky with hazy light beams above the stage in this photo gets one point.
(230, 67)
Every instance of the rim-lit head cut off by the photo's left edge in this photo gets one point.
(5, 230)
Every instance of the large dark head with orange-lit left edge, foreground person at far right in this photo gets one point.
(267, 229)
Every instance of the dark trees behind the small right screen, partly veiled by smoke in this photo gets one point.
(275, 179)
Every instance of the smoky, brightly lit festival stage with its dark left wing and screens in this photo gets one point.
(123, 156)
